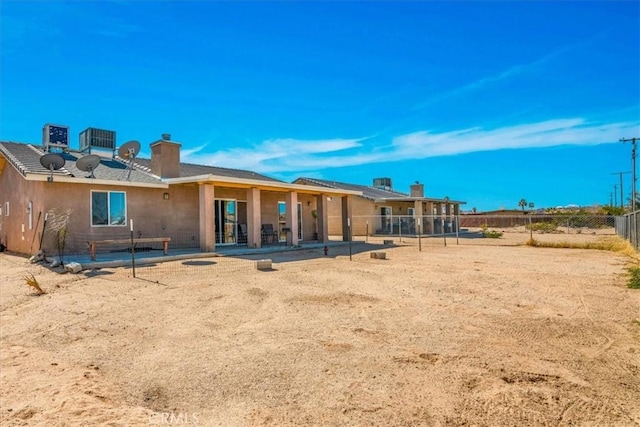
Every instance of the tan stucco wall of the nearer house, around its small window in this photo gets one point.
(153, 216)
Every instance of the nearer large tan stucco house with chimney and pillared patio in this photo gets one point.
(195, 205)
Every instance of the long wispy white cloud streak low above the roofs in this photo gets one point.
(286, 155)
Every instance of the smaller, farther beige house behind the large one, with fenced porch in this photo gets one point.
(380, 210)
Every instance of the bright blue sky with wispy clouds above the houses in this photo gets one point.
(486, 102)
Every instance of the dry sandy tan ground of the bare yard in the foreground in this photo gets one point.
(486, 333)
